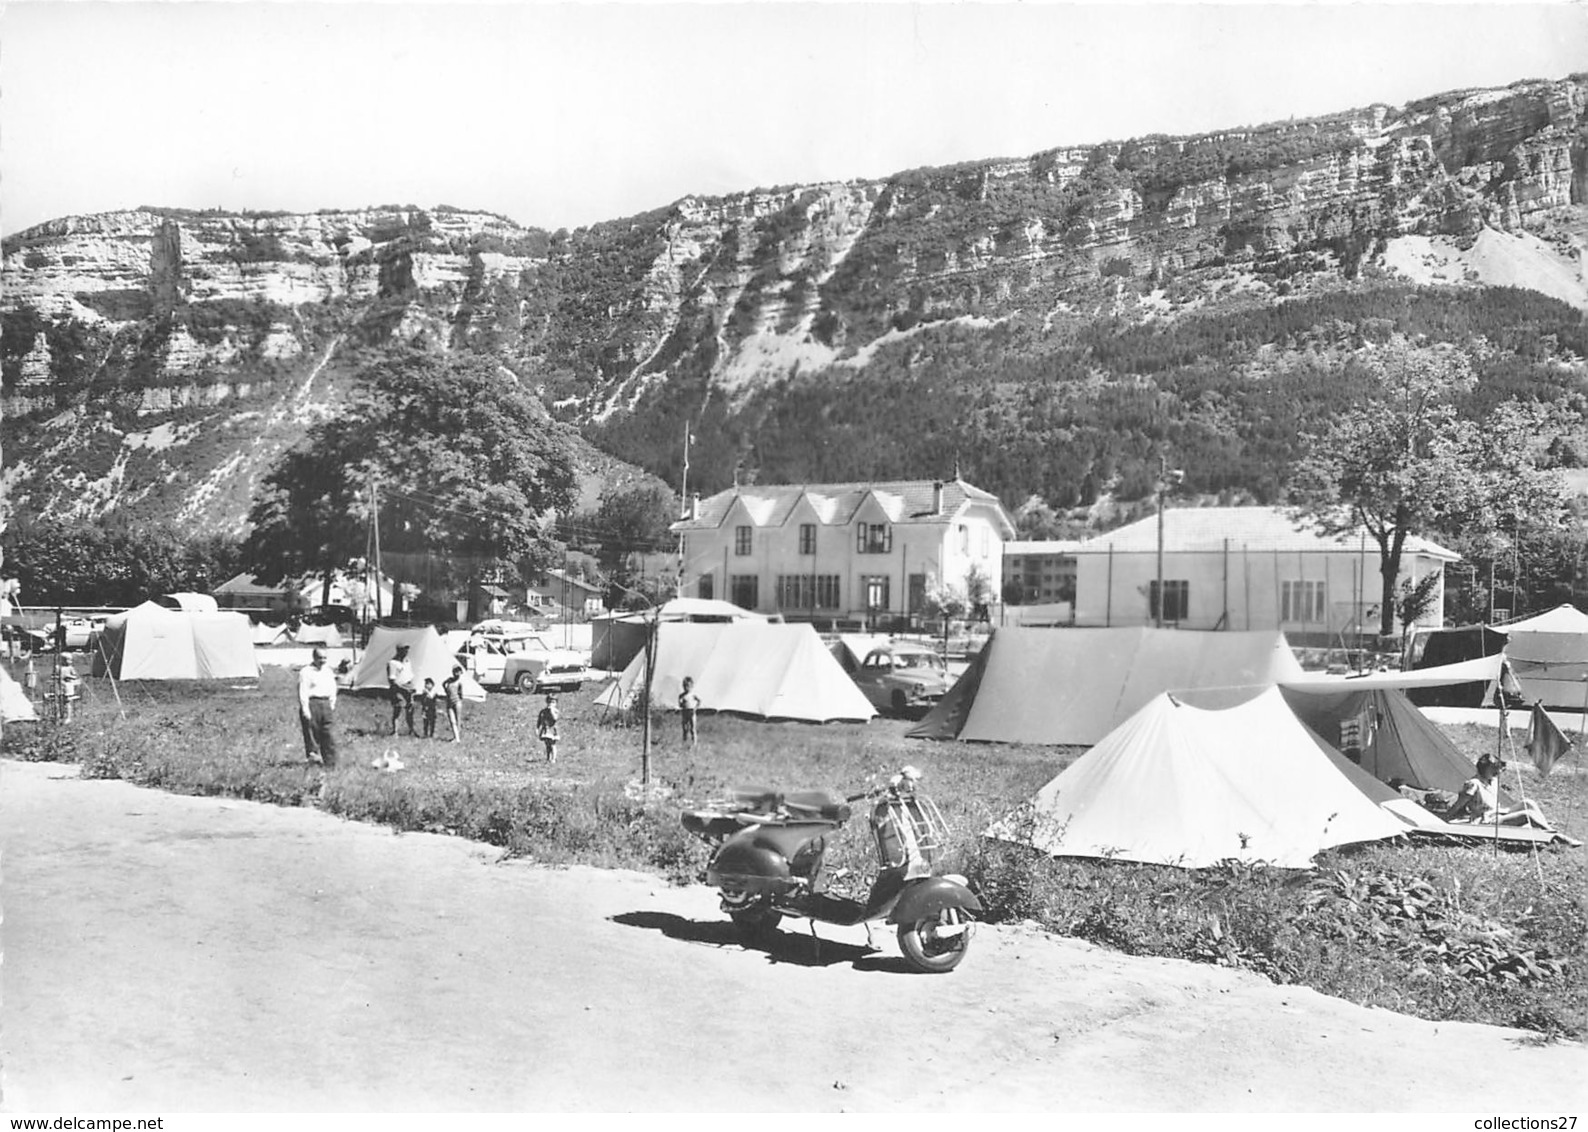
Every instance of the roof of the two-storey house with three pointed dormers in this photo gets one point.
(903, 501)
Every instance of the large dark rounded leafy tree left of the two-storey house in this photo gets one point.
(463, 461)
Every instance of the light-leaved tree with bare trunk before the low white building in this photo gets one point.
(1403, 461)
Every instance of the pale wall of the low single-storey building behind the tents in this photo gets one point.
(1249, 585)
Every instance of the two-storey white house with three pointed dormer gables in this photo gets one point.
(861, 552)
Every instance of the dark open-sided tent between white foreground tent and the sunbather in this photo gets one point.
(1397, 741)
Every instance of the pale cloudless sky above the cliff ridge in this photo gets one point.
(560, 115)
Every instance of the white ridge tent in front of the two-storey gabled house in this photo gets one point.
(754, 668)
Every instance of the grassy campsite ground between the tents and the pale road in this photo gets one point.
(1447, 933)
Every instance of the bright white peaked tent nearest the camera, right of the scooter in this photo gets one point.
(1178, 785)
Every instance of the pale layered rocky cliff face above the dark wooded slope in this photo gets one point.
(242, 328)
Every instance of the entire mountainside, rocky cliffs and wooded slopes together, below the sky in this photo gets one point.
(1049, 325)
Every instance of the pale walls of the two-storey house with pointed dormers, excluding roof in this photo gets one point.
(930, 550)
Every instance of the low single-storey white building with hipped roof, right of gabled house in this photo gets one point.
(1246, 568)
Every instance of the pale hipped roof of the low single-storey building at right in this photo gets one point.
(1206, 529)
